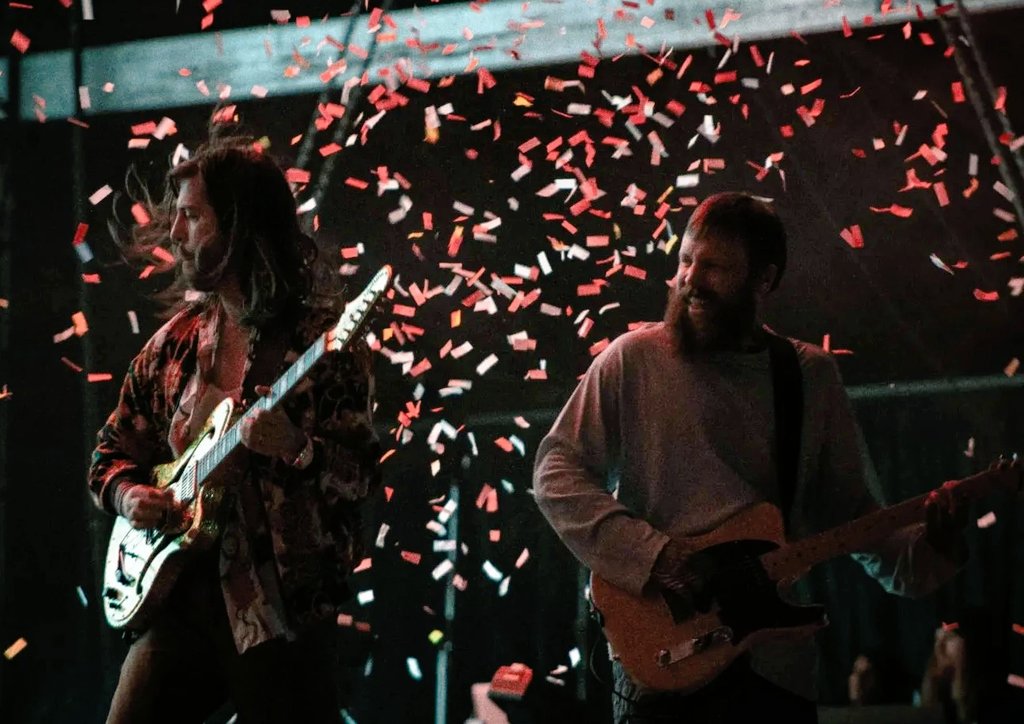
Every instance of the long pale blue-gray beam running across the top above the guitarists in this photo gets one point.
(506, 35)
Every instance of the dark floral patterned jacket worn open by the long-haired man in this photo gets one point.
(284, 565)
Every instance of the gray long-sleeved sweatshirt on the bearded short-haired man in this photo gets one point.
(653, 446)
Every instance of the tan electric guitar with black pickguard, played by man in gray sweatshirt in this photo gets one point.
(666, 645)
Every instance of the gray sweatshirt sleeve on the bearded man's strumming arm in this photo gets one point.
(577, 462)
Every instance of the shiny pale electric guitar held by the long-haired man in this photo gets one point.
(143, 565)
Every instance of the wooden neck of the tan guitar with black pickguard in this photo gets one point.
(794, 560)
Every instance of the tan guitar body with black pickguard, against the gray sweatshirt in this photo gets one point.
(666, 645)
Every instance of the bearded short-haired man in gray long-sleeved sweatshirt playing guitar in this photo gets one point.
(682, 427)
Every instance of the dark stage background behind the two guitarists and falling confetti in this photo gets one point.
(892, 316)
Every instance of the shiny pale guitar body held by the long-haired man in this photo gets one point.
(143, 565)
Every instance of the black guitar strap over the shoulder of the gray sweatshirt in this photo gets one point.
(788, 393)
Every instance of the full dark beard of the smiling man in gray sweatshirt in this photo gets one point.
(722, 324)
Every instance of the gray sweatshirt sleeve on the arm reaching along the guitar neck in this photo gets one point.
(904, 564)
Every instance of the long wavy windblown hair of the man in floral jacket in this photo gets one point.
(257, 216)
